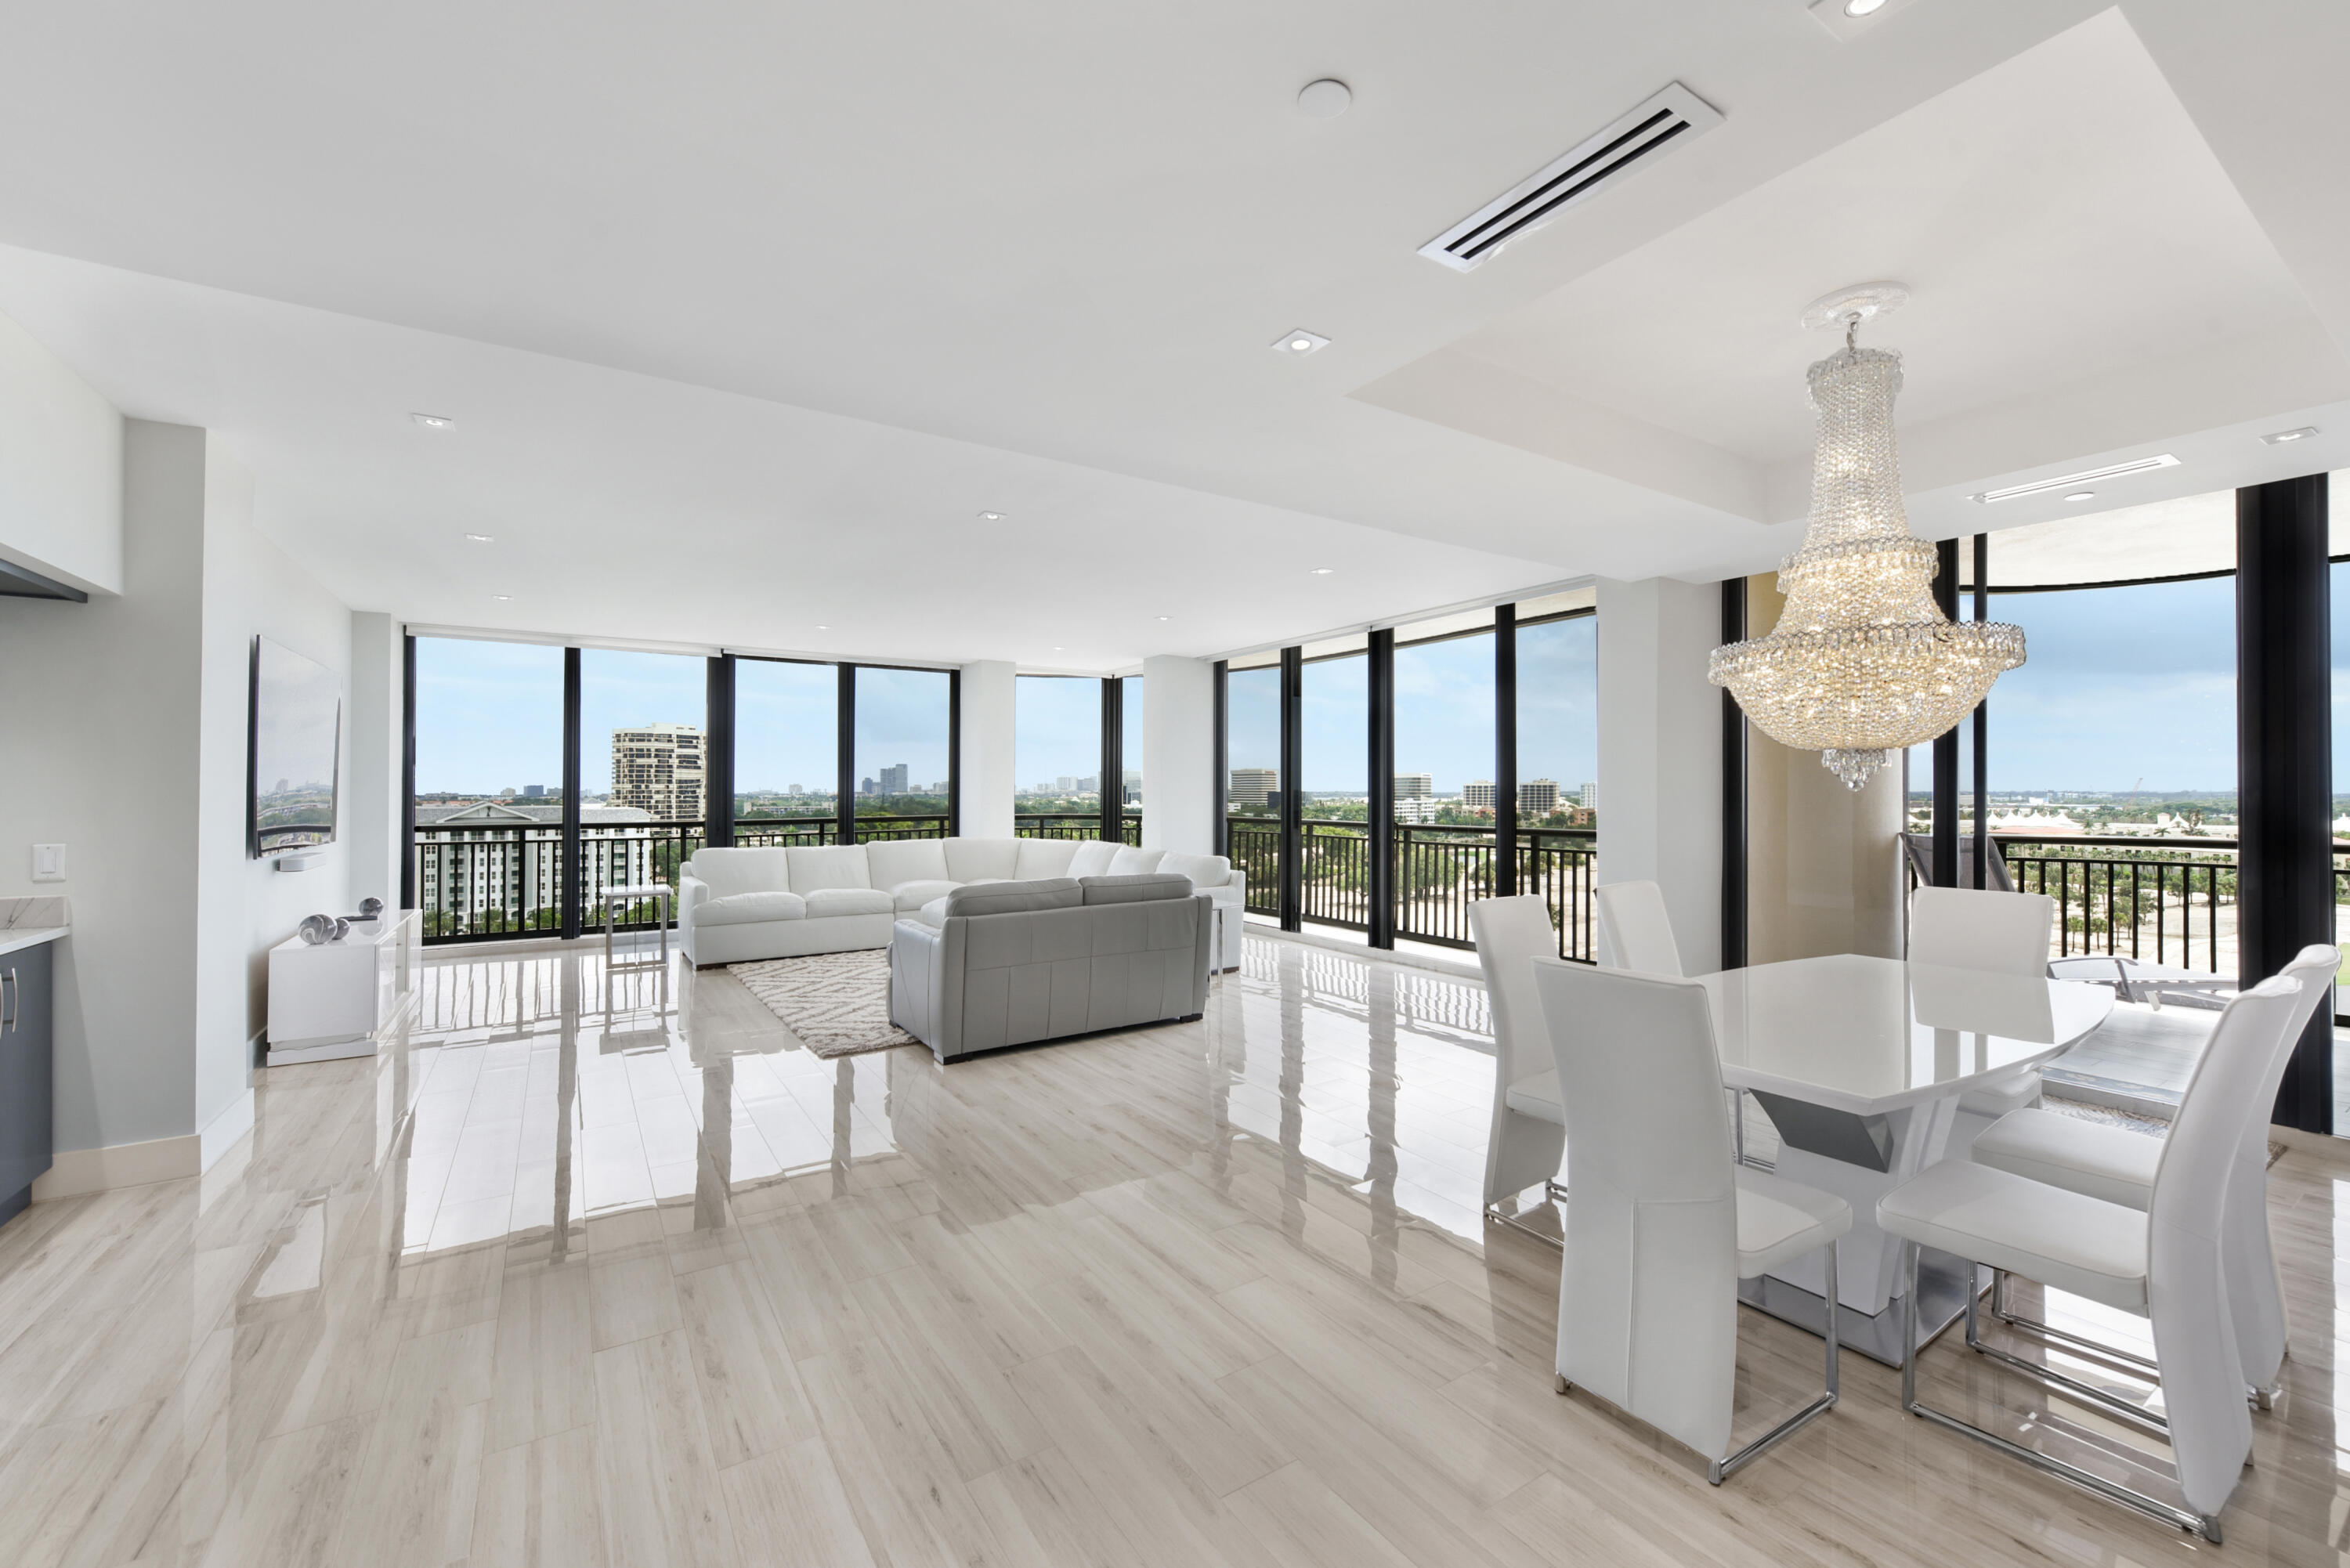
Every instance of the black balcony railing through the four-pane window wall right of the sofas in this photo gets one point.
(1439, 873)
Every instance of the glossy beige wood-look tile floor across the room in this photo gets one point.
(610, 1271)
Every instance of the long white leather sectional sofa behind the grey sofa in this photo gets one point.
(781, 904)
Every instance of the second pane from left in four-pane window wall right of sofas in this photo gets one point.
(1334, 786)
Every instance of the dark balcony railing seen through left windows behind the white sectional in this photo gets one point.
(506, 880)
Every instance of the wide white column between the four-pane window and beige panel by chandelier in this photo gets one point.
(1663, 753)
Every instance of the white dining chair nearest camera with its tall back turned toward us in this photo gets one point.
(1660, 1221)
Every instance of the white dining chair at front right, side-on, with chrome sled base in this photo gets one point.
(2163, 1264)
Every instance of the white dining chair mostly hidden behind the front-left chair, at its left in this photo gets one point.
(1529, 1130)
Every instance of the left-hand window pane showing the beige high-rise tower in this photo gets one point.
(643, 770)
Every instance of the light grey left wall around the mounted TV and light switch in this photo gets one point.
(135, 713)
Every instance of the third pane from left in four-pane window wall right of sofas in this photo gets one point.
(1444, 775)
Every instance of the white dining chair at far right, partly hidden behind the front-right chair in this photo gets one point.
(2119, 1165)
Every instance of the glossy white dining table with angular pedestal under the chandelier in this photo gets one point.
(1860, 1064)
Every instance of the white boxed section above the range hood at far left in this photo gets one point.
(60, 469)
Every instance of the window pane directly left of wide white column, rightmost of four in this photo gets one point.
(1559, 768)
